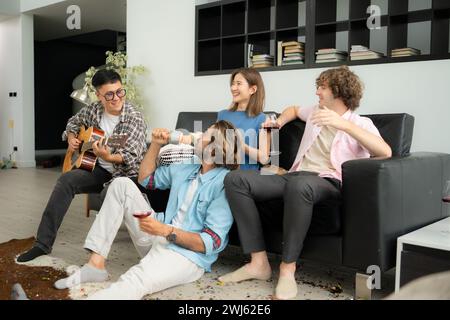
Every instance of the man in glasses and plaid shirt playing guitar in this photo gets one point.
(113, 115)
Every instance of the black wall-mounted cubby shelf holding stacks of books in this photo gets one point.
(386, 31)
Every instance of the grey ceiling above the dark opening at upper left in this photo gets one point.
(50, 21)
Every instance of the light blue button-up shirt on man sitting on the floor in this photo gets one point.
(209, 214)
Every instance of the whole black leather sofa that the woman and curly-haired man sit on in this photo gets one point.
(382, 198)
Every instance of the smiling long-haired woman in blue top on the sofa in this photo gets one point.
(246, 114)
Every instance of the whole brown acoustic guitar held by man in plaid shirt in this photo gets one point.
(84, 158)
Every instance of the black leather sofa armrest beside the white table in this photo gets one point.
(386, 198)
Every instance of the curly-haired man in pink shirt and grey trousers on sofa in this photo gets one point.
(333, 134)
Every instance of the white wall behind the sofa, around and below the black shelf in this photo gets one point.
(160, 35)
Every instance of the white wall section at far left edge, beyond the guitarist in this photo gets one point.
(17, 68)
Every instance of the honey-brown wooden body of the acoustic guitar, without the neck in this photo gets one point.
(83, 159)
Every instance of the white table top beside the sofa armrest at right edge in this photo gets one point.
(436, 236)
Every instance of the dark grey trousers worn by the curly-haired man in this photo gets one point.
(299, 191)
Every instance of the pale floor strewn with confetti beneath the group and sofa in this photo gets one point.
(24, 193)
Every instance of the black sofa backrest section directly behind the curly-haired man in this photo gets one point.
(396, 129)
